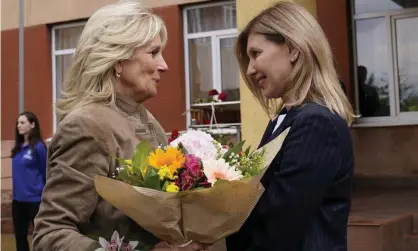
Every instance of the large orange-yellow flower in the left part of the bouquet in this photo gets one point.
(172, 158)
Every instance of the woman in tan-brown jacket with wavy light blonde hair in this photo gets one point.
(117, 65)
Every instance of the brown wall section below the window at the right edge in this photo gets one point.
(386, 151)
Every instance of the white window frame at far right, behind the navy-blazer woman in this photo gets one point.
(396, 117)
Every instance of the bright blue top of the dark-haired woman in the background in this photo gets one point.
(29, 173)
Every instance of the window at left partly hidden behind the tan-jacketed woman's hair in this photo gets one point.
(64, 41)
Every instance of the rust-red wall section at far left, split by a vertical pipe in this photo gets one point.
(38, 79)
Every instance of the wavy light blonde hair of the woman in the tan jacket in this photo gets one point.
(111, 34)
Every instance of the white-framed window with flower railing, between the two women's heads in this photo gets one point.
(210, 33)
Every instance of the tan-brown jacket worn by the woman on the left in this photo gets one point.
(72, 216)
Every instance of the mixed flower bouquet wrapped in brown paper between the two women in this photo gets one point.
(194, 189)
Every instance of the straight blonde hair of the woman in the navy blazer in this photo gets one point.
(313, 78)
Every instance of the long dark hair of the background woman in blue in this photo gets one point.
(34, 134)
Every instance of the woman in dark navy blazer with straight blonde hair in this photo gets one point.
(283, 53)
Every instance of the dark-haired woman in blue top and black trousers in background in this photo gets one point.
(28, 175)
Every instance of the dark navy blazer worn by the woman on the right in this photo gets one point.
(308, 185)
